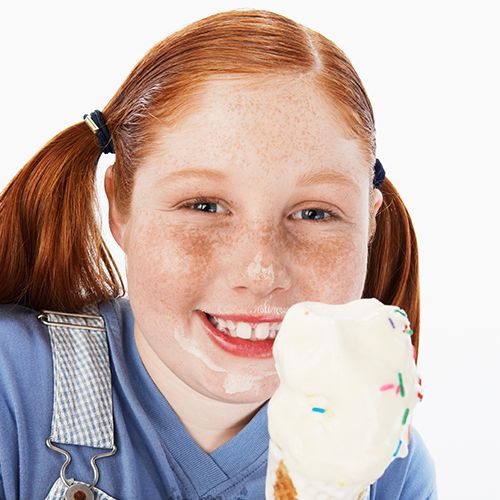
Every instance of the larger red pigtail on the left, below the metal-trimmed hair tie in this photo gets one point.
(52, 255)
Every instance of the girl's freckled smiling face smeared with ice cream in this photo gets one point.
(254, 201)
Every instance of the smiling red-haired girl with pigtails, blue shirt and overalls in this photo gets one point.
(245, 180)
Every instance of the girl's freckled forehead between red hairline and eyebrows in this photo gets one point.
(273, 121)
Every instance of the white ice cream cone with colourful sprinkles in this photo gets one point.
(348, 388)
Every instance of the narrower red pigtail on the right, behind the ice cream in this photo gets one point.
(392, 275)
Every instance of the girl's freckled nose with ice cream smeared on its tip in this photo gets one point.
(258, 263)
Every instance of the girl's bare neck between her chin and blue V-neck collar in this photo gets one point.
(210, 422)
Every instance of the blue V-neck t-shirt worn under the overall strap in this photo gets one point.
(156, 458)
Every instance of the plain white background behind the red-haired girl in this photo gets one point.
(431, 69)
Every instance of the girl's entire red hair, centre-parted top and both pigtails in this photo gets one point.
(51, 250)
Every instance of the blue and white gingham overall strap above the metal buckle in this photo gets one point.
(83, 411)
